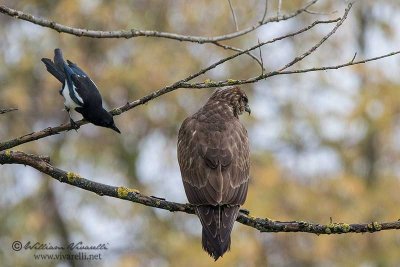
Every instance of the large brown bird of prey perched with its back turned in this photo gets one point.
(213, 155)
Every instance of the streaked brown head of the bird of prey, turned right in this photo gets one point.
(234, 97)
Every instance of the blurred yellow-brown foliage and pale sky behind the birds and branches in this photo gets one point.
(324, 145)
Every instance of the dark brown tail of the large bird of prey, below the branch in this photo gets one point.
(217, 222)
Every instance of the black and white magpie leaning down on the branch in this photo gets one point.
(79, 91)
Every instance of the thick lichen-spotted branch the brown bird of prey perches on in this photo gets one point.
(43, 165)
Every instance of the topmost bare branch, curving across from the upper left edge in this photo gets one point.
(132, 33)
